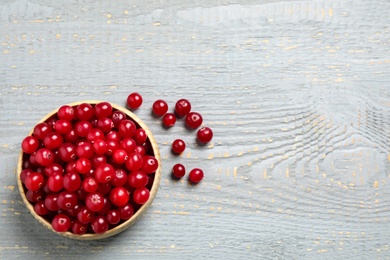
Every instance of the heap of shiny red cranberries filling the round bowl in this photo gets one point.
(88, 168)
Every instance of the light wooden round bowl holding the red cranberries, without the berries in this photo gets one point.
(137, 214)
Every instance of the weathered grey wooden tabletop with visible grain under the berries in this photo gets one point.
(298, 95)
